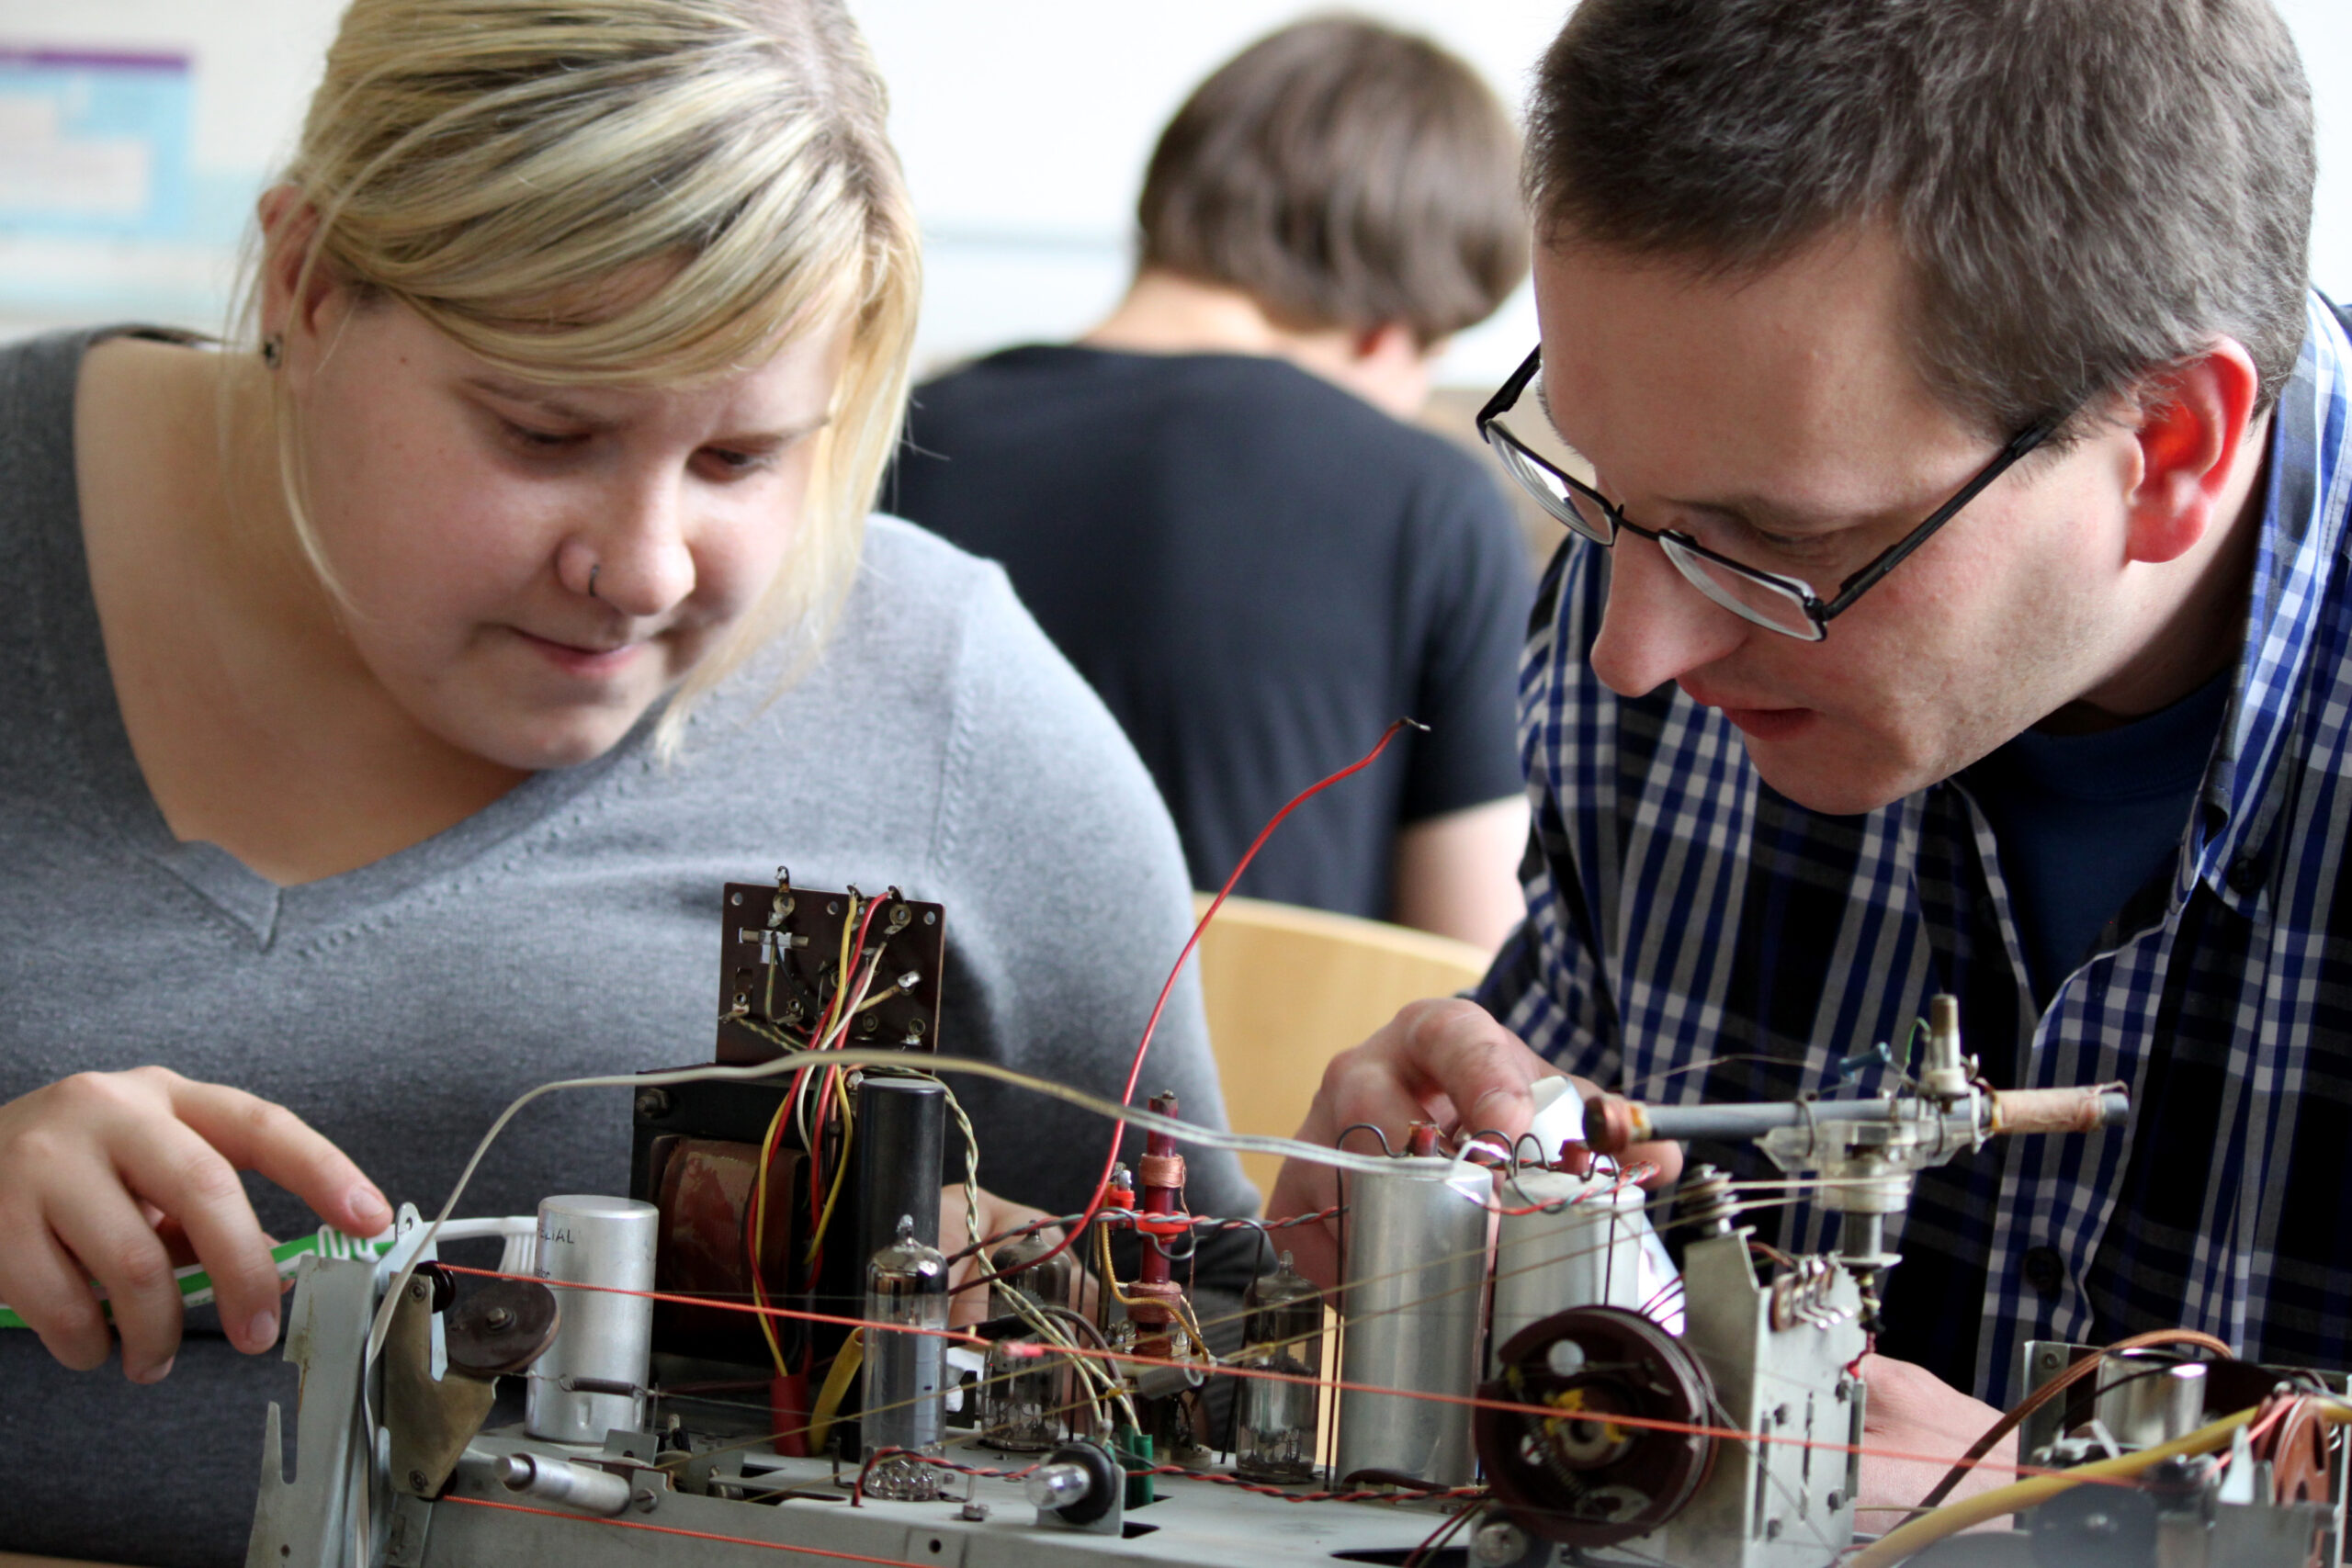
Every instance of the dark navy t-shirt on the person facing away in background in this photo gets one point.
(1257, 572)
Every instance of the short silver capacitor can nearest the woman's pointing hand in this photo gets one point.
(592, 1379)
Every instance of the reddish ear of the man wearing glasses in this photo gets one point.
(2191, 427)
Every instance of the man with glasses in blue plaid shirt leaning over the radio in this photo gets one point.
(1958, 605)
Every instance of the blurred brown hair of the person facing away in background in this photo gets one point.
(1342, 175)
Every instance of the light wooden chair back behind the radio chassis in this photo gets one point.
(1292, 989)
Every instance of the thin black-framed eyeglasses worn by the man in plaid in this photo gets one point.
(1770, 598)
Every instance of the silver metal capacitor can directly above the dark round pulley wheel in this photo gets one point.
(1596, 1249)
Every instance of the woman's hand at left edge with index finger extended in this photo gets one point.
(107, 1172)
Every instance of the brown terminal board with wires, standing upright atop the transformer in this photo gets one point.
(782, 956)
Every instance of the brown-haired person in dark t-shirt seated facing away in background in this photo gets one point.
(1215, 504)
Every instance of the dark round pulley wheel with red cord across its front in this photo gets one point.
(1582, 1477)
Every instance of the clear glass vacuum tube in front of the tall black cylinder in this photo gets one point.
(907, 1360)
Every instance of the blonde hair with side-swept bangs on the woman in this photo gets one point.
(632, 192)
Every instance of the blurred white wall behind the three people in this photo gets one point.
(1024, 128)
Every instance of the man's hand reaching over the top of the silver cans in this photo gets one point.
(1443, 1061)
